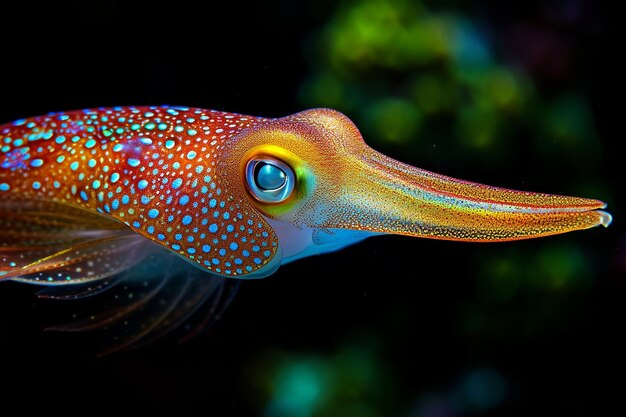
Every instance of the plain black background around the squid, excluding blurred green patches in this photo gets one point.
(406, 300)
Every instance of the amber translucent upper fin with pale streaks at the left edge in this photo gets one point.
(51, 243)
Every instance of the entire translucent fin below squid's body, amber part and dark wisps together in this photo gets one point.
(126, 289)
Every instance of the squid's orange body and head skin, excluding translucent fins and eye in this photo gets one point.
(177, 176)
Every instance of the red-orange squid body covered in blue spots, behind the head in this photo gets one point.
(152, 168)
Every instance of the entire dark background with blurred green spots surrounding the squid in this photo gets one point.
(520, 95)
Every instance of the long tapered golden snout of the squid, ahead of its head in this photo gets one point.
(382, 195)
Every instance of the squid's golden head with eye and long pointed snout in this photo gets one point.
(320, 187)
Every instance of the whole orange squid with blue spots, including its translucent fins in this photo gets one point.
(175, 205)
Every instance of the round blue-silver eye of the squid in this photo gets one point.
(269, 180)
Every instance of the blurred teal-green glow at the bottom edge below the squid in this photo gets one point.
(346, 382)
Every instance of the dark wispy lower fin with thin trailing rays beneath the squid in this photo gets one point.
(150, 300)
